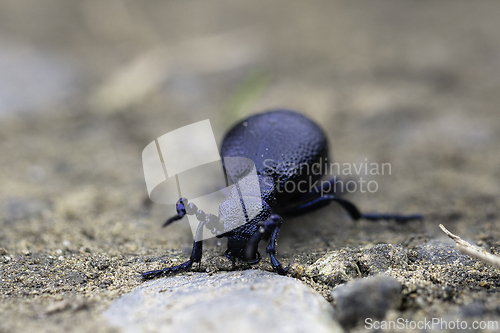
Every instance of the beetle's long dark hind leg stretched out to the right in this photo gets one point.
(350, 208)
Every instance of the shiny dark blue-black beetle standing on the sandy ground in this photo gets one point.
(286, 148)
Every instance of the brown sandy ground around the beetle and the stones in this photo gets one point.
(89, 84)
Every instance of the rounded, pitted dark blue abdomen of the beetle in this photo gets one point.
(283, 144)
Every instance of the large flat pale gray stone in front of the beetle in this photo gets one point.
(242, 301)
